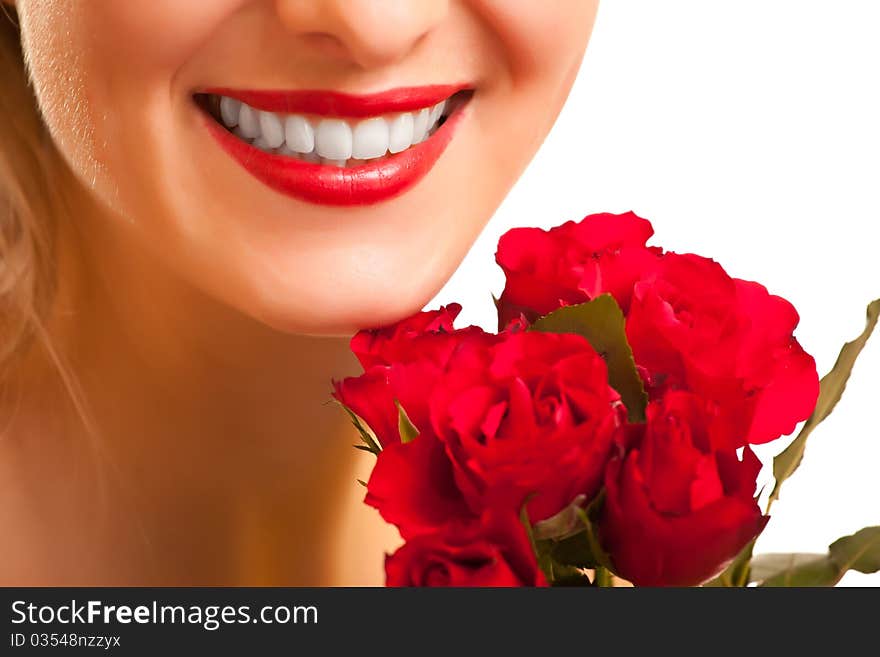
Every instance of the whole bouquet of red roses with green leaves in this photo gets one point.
(604, 431)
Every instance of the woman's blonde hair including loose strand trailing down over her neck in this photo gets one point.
(31, 207)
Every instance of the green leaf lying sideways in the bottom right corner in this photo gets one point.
(860, 551)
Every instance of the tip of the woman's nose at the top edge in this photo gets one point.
(370, 33)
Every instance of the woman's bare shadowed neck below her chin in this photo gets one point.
(221, 458)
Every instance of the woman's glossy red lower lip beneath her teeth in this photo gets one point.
(373, 182)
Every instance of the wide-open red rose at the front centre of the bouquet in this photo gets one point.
(531, 417)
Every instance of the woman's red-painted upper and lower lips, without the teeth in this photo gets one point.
(372, 182)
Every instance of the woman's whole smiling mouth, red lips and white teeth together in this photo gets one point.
(337, 149)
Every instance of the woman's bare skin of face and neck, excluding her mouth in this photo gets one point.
(203, 313)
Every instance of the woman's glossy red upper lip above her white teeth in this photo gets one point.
(340, 104)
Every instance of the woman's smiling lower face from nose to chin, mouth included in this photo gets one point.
(317, 166)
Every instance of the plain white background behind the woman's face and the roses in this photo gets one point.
(749, 132)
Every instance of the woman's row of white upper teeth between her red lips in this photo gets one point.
(331, 140)
